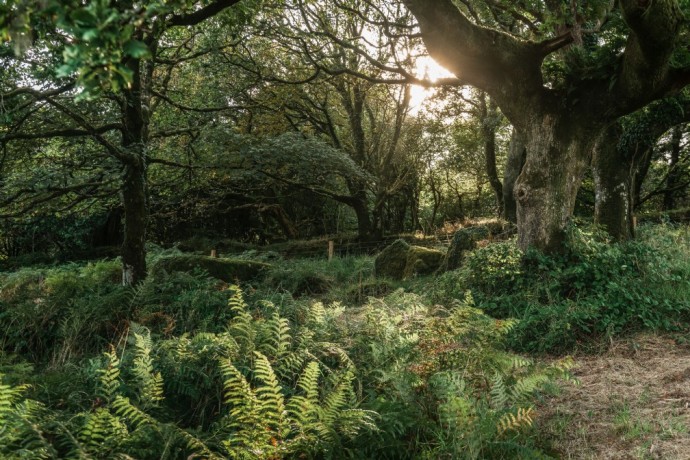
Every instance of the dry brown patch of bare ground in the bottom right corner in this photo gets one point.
(632, 402)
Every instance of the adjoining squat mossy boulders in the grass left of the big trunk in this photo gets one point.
(401, 261)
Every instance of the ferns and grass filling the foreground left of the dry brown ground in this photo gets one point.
(184, 367)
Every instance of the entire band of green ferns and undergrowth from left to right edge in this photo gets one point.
(318, 359)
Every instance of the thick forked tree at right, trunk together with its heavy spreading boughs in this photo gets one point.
(560, 126)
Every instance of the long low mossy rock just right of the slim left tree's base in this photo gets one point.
(228, 270)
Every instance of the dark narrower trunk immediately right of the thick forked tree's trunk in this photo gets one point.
(613, 176)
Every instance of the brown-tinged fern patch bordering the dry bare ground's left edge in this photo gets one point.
(442, 382)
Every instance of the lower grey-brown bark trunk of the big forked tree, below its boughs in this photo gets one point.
(558, 153)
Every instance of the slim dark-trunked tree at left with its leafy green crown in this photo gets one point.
(102, 70)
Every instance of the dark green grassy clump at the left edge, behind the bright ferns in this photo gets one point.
(55, 314)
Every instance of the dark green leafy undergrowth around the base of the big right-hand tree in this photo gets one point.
(593, 291)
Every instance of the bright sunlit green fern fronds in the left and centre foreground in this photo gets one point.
(259, 390)
